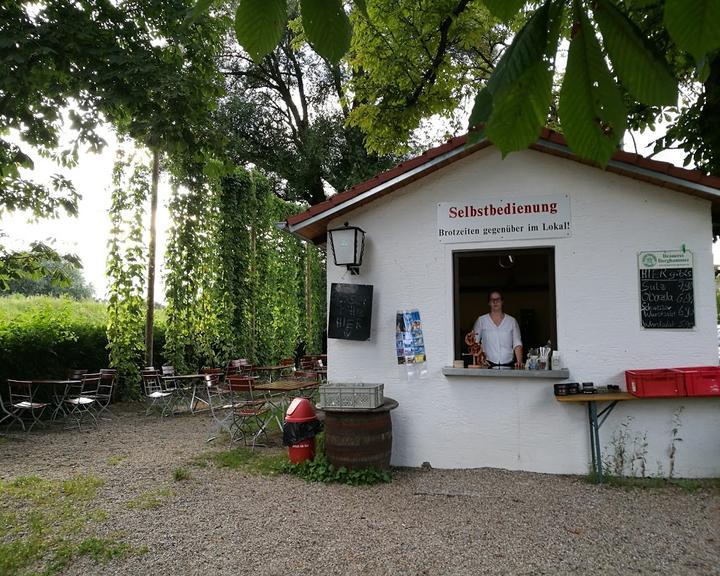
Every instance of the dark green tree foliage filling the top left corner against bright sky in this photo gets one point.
(135, 63)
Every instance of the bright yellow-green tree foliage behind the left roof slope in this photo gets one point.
(412, 60)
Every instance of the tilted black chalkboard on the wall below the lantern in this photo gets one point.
(350, 311)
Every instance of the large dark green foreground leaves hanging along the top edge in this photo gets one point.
(513, 105)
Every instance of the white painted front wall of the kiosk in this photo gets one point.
(466, 422)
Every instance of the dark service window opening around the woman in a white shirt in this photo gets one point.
(526, 278)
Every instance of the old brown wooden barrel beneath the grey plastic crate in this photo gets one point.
(359, 439)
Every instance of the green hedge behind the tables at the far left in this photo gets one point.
(43, 337)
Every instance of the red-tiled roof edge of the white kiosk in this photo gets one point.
(311, 223)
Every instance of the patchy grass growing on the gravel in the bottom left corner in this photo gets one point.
(43, 525)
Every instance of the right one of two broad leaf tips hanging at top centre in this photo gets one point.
(327, 27)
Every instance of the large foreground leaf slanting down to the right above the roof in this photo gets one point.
(642, 71)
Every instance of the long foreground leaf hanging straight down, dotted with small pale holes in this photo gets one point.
(591, 109)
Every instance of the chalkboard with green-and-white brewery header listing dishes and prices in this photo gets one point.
(666, 289)
